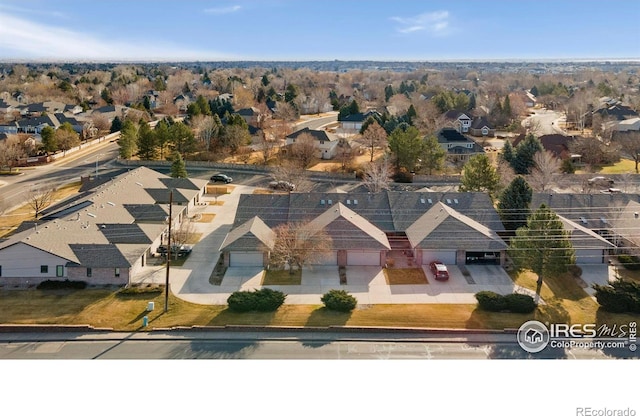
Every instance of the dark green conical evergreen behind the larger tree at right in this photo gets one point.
(513, 206)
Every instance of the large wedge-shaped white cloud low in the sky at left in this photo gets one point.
(24, 39)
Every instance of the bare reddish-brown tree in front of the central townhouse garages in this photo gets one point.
(299, 244)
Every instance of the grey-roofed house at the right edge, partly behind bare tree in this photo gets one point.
(592, 218)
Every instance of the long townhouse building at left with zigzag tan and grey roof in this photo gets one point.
(103, 237)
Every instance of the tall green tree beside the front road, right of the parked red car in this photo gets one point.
(543, 246)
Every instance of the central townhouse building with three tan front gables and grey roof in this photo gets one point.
(368, 229)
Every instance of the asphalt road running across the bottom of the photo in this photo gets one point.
(285, 345)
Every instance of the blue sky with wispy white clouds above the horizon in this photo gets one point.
(318, 30)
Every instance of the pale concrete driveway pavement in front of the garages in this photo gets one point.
(367, 284)
